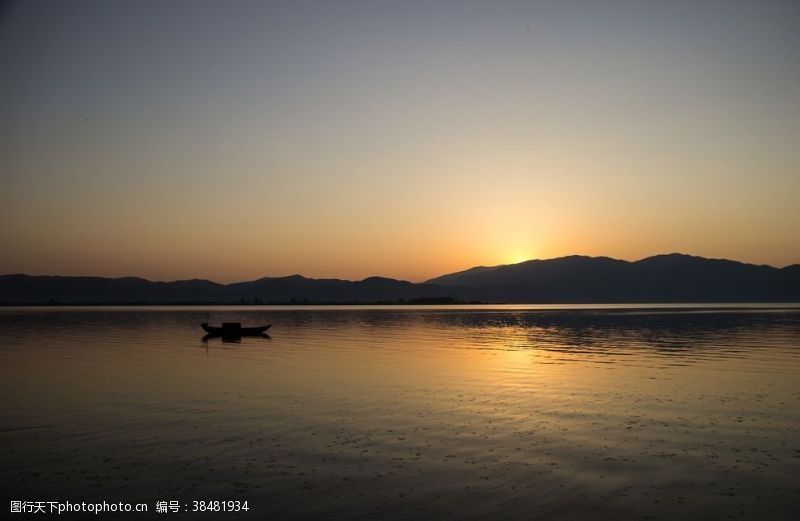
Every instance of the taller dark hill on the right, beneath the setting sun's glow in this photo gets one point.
(662, 278)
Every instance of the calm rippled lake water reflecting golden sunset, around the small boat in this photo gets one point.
(401, 413)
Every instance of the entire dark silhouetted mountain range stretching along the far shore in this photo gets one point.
(573, 279)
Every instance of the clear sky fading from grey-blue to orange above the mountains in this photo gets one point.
(235, 140)
